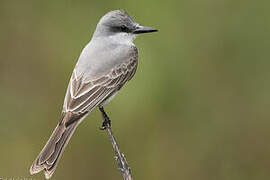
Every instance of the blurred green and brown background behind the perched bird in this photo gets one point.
(197, 108)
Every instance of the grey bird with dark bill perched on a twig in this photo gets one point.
(105, 64)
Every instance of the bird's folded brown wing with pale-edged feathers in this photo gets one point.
(83, 96)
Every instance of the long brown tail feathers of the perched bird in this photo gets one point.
(52, 151)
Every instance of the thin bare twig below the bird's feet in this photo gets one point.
(121, 160)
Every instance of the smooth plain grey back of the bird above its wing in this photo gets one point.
(98, 59)
